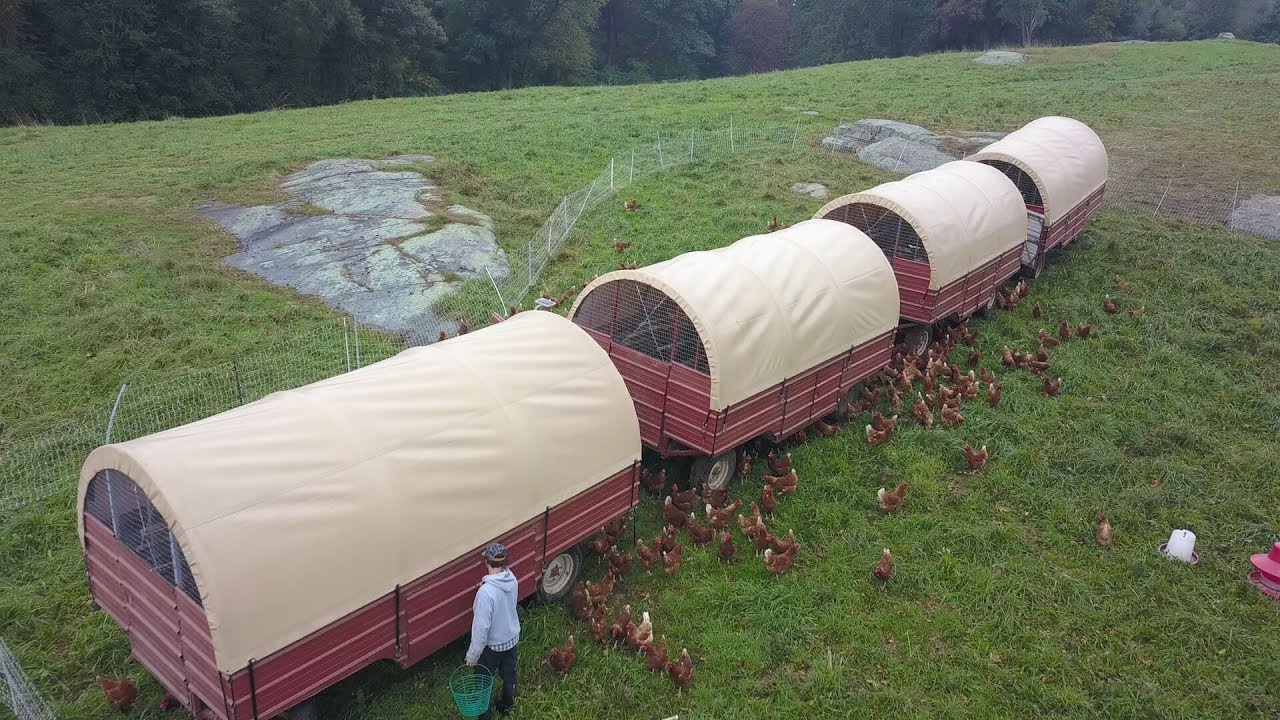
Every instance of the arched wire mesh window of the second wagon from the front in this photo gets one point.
(643, 318)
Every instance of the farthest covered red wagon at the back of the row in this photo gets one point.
(1060, 167)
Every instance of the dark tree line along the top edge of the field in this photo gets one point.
(98, 61)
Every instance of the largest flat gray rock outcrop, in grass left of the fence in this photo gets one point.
(381, 248)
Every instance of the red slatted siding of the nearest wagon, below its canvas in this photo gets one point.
(170, 632)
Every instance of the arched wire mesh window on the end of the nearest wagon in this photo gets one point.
(120, 504)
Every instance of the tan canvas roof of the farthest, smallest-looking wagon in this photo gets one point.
(1064, 158)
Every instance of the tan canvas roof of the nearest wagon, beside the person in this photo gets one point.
(307, 505)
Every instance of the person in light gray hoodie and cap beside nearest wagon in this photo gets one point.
(496, 627)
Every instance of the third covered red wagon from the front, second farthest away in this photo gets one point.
(953, 236)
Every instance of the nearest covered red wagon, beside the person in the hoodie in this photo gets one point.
(258, 557)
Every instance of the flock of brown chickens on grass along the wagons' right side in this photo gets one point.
(943, 391)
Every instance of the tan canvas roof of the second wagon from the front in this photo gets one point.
(771, 307)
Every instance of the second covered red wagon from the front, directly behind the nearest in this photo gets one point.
(762, 338)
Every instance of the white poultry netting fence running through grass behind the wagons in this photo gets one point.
(36, 468)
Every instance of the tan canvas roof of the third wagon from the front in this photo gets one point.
(966, 215)
